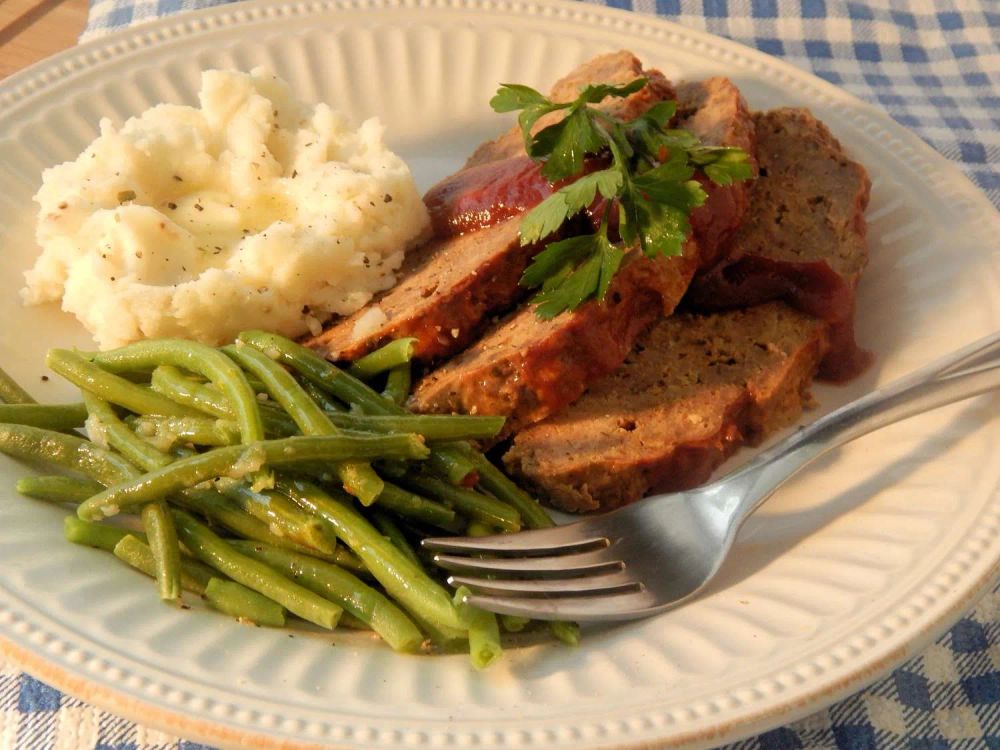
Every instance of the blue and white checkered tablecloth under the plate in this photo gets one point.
(935, 68)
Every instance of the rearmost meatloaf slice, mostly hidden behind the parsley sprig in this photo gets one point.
(614, 68)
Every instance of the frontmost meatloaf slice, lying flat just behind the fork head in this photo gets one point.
(693, 390)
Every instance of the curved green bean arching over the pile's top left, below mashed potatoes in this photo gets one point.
(198, 358)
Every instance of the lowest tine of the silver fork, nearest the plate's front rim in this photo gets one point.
(587, 608)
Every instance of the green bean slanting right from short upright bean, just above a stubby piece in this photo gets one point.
(213, 551)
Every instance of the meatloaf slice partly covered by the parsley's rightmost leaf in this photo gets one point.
(715, 111)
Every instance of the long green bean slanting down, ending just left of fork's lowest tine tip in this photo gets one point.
(403, 580)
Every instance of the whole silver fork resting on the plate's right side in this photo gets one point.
(657, 553)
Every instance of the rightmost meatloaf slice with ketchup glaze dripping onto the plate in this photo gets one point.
(804, 239)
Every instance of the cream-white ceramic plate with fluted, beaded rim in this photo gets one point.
(852, 568)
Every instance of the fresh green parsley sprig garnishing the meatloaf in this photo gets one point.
(648, 183)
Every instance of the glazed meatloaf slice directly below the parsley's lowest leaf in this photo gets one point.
(527, 368)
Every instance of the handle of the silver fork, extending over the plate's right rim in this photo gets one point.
(963, 374)
